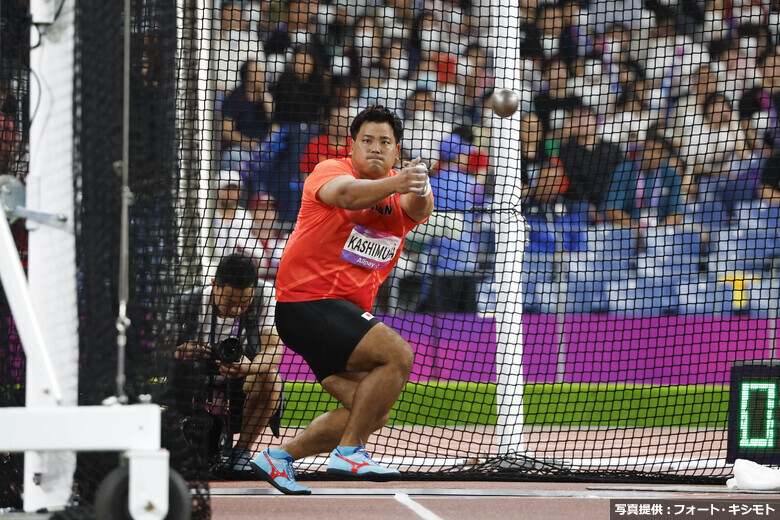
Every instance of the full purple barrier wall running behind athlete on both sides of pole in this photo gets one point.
(656, 350)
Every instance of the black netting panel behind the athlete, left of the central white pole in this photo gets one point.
(286, 81)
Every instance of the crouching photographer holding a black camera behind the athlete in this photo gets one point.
(227, 352)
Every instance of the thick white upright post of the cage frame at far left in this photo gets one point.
(48, 476)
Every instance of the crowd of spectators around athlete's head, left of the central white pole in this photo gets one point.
(293, 74)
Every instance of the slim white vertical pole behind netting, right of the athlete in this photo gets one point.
(510, 232)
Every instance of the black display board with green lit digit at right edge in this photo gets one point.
(754, 396)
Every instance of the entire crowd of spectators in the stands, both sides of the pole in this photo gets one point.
(633, 114)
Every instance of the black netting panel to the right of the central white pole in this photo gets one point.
(651, 205)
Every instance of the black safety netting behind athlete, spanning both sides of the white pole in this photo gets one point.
(642, 151)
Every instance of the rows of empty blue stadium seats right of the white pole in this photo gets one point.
(704, 266)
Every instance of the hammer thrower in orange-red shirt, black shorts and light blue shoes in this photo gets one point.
(354, 216)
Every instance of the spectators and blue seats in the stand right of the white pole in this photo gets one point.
(654, 118)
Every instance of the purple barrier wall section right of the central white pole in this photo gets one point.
(672, 350)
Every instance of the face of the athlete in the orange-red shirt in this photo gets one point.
(374, 150)
